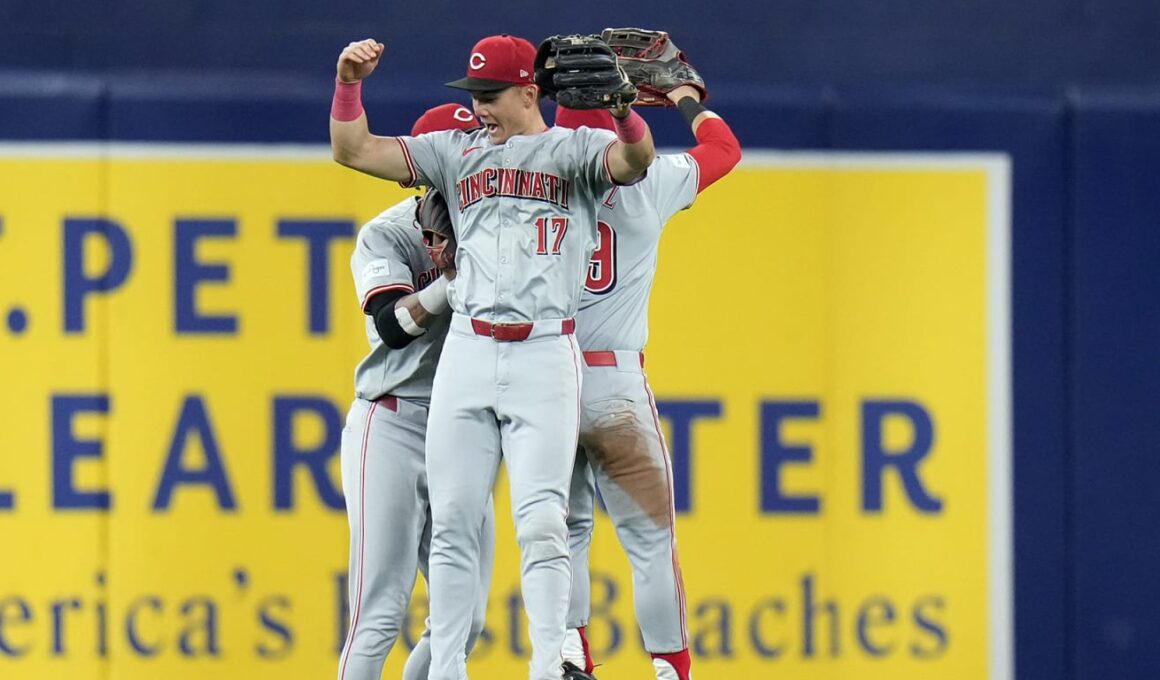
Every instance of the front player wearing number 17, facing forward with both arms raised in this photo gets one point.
(524, 205)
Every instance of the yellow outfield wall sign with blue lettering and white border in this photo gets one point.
(178, 339)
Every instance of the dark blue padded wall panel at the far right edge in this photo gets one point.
(1115, 322)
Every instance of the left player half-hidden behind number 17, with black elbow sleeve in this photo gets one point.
(383, 444)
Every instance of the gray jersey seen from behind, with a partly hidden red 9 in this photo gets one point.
(614, 309)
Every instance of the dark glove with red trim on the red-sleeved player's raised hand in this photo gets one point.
(654, 63)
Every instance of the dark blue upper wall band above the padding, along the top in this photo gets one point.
(810, 41)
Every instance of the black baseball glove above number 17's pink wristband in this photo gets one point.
(581, 73)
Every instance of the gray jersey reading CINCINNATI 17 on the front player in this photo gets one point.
(521, 216)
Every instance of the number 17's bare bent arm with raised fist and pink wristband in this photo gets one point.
(352, 143)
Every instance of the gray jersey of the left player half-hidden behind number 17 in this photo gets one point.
(390, 256)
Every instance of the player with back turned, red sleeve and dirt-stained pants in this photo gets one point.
(620, 437)
